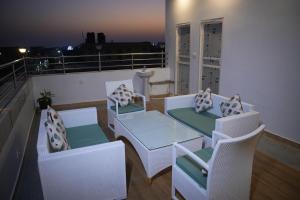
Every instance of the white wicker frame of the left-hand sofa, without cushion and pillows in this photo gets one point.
(91, 172)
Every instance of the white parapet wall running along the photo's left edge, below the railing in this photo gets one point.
(15, 123)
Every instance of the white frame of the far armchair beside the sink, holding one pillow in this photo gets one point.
(113, 103)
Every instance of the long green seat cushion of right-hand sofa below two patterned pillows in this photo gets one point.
(203, 122)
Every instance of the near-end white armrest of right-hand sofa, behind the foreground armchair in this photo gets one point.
(236, 125)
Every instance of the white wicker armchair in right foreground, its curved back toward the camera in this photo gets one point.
(229, 169)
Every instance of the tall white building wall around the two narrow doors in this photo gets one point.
(260, 54)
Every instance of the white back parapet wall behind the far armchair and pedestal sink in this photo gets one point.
(90, 86)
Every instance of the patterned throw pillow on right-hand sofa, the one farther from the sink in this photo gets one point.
(232, 107)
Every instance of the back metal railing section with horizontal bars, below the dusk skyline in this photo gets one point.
(96, 62)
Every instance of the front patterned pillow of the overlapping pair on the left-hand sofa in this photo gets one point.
(56, 139)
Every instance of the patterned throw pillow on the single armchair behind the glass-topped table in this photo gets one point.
(123, 95)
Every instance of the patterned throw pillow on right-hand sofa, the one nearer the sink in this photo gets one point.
(203, 100)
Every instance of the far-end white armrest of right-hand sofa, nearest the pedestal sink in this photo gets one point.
(182, 101)
